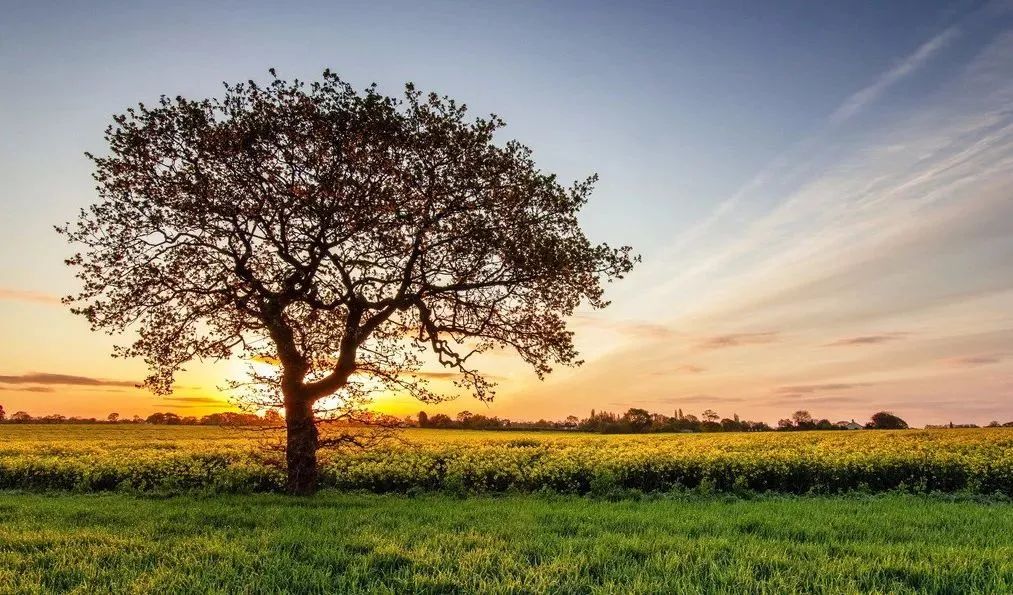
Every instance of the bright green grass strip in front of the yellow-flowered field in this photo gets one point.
(357, 543)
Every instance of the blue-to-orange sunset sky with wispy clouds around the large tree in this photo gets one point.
(822, 193)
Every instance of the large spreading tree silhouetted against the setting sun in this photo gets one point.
(339, 235)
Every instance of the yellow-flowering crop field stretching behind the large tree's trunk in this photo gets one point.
(174, 459)
